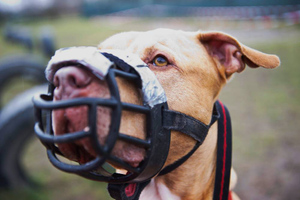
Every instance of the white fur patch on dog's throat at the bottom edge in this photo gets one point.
(158, 191)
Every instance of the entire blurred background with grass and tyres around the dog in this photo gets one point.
(264, 104)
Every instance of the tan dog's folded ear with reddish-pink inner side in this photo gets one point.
(232, 55)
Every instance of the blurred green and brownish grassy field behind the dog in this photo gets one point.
(264, 105)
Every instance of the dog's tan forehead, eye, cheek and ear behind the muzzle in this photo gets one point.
(192, 67)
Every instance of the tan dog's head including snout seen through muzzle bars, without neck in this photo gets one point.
(192, 67)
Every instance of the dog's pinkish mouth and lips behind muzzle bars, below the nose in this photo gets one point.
(82, 151)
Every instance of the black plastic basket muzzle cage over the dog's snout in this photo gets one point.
(156, 143)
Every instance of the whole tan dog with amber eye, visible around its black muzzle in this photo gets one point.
(192, 67)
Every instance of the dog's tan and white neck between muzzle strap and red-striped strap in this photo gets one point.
(184, 183)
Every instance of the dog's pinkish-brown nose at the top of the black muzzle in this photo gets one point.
(69, 81)
